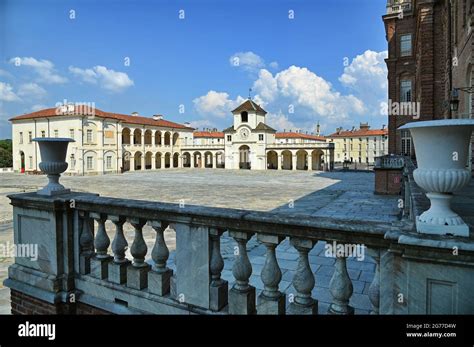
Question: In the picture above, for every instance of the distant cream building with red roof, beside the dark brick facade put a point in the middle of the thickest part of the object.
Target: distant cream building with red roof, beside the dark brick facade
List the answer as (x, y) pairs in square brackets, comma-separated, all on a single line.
[(361, 145)]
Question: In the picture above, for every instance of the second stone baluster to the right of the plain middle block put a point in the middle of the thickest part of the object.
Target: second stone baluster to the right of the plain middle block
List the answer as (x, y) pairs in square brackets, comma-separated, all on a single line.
[(242, 295)]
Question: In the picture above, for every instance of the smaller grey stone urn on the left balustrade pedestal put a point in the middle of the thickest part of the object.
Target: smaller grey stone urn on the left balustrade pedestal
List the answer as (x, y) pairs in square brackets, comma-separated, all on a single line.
[(53, 163)]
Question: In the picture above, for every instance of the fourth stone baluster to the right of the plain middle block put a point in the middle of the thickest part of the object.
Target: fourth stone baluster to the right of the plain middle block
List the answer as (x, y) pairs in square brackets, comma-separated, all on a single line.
[(303, 280)]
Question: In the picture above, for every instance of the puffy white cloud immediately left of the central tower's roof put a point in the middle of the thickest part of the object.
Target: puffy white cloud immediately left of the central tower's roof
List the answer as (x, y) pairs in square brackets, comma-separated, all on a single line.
[(216, 104)]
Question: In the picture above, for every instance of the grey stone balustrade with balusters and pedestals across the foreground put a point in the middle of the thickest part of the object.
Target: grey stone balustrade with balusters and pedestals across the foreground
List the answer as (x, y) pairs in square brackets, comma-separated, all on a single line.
[(77, 257)]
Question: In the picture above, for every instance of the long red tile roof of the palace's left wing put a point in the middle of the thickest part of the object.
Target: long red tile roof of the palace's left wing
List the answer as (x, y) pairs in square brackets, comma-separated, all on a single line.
[(52, 112)]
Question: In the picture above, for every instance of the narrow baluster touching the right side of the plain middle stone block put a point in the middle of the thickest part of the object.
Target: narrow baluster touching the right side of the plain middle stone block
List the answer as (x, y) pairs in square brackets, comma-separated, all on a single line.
[(218, 288)]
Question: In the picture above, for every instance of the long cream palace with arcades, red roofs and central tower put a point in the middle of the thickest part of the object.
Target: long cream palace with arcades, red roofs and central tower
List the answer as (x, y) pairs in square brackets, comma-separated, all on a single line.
[(112, 143)]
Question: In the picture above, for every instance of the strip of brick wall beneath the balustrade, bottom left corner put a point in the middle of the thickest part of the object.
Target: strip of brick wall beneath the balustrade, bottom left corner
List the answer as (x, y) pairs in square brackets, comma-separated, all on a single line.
[(22, 304)]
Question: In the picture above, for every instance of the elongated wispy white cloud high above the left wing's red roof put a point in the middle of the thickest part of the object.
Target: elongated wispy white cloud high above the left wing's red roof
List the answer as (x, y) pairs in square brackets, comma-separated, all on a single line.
[(108, 79)]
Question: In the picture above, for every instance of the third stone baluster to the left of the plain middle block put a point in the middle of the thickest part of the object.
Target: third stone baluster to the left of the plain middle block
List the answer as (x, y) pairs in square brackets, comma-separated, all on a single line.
[(118, 267)]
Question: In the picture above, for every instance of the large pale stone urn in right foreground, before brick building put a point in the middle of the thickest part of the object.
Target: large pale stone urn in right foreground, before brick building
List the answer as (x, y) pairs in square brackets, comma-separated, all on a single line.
[(442, 152)]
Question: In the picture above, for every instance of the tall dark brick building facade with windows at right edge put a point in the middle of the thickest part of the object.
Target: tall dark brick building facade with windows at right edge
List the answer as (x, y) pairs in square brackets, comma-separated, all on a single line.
[(430, 64)]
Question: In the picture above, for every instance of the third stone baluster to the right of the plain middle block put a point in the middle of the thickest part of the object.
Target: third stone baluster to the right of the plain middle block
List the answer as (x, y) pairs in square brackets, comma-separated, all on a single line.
[(271, 300)]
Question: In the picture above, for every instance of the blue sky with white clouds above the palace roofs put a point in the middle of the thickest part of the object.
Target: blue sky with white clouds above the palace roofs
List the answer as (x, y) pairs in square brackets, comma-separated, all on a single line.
[(194, 61)]
